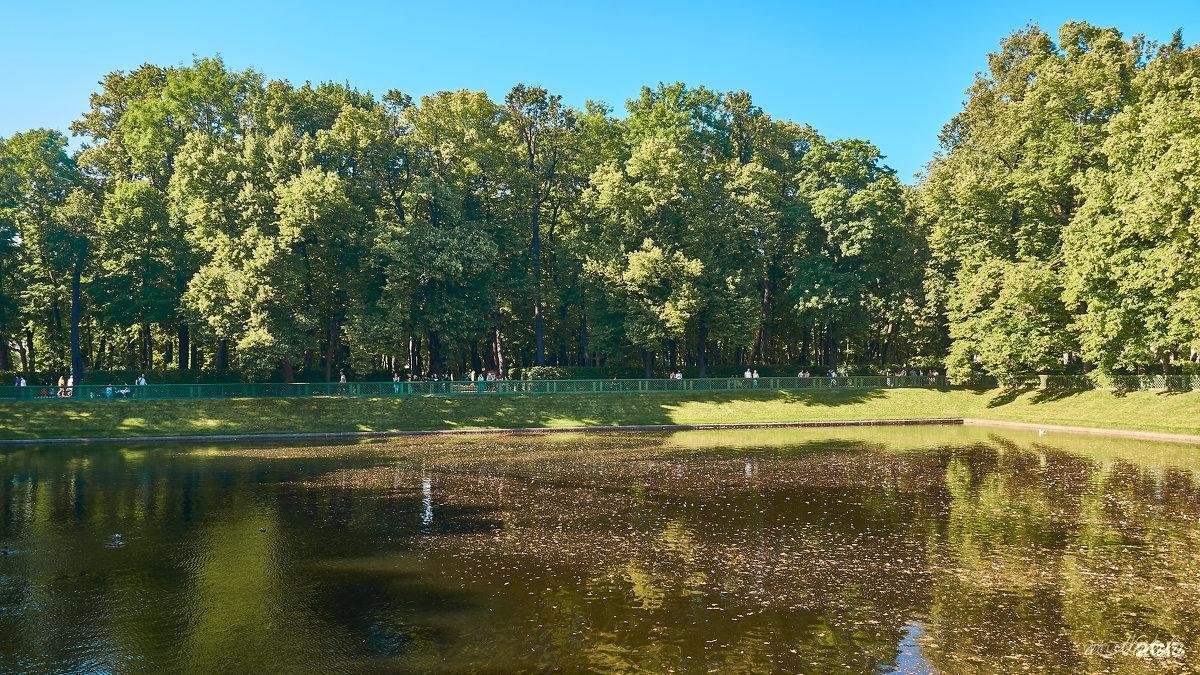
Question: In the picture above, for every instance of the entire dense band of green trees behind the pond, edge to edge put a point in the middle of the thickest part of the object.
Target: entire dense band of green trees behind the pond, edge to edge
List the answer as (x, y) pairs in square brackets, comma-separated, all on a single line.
[(215, 220)]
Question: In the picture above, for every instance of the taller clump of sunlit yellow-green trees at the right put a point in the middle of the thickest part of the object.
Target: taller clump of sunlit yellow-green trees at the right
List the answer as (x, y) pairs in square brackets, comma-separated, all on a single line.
[(1063, 211)]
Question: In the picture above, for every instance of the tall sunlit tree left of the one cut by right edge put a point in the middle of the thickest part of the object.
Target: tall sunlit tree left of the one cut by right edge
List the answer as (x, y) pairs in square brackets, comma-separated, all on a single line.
[(1007, 183)]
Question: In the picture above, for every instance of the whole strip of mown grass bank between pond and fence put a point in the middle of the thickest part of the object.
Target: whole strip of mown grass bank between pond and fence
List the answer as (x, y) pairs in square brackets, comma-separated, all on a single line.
[(1148, 411)]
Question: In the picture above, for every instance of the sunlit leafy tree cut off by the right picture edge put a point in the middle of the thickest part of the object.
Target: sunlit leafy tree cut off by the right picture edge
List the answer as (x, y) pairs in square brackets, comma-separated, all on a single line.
[(1130, 252)]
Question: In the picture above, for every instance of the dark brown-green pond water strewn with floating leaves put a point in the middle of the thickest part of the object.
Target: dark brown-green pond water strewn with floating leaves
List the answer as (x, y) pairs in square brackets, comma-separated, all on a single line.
[(862, 551)]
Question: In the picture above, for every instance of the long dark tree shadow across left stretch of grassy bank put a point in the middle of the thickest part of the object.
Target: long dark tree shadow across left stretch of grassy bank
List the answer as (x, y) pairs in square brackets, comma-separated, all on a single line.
[(417, 414)]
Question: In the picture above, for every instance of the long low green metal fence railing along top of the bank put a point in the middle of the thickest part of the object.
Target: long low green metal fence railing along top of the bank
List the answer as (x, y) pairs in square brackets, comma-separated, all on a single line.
[(452, 389)]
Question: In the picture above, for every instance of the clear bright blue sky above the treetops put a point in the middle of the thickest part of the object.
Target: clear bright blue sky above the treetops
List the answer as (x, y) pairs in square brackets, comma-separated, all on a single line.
[(891, 73)]
